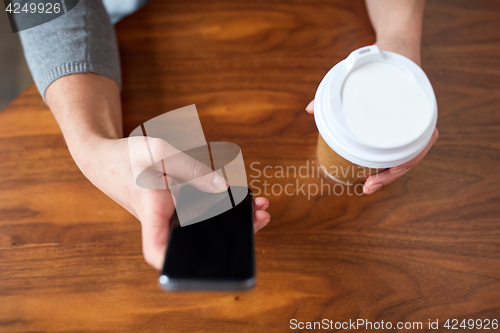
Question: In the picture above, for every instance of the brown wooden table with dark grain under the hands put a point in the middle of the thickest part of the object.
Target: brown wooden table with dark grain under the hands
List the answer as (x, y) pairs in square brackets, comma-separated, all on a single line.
[(425, 247)]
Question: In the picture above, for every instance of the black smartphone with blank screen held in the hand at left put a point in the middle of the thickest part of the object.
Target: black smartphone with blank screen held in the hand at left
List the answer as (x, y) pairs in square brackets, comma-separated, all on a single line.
[(214, 253)]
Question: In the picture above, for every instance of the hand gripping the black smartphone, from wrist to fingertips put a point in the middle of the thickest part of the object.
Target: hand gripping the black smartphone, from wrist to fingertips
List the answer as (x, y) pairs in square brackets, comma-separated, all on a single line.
[(109, 168)]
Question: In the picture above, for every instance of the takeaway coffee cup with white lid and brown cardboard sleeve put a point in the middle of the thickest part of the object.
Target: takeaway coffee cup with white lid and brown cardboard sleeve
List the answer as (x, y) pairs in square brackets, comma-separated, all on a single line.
[(374, 110)]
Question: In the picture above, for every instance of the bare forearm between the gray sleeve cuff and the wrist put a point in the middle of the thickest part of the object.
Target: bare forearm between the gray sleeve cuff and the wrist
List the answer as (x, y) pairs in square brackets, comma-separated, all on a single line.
[(87, 108)]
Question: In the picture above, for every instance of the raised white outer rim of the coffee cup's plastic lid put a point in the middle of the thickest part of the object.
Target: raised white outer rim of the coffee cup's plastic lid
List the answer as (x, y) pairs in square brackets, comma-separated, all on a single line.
[(341, 139)]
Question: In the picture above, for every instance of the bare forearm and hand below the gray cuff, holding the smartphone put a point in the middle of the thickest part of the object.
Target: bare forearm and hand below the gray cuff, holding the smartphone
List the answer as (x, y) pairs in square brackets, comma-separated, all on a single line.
[(87, 107)]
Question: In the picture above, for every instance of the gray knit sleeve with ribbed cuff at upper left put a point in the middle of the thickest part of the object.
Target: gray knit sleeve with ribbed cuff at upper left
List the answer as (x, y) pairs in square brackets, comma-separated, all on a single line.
[(80, 41)]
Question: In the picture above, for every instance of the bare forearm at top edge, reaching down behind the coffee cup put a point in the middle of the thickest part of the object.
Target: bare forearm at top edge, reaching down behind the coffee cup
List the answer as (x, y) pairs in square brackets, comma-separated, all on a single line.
[(398, 25)]
